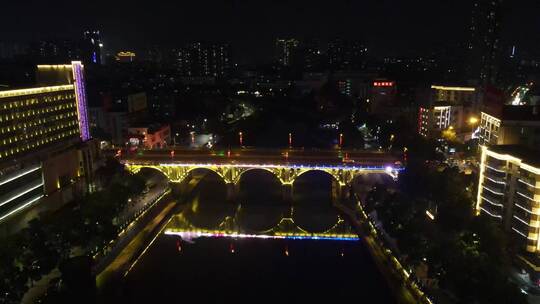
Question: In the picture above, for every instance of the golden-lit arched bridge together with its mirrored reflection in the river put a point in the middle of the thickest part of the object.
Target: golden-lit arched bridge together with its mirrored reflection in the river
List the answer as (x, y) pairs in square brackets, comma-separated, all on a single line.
[(286, 165)]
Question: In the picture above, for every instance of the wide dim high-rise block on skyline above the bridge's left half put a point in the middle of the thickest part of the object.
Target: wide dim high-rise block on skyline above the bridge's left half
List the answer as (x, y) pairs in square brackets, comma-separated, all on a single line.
[(204, 60)]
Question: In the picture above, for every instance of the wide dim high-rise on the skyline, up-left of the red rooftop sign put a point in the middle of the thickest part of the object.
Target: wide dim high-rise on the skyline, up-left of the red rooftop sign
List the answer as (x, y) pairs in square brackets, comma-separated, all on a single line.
[(347, 55)]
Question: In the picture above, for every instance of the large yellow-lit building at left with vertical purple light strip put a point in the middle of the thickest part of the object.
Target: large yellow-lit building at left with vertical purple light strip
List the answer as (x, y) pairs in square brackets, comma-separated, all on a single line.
[(37, 126)]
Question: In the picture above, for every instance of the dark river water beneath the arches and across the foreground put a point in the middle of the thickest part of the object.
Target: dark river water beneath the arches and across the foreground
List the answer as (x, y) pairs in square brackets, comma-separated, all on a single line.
[(224, 270)]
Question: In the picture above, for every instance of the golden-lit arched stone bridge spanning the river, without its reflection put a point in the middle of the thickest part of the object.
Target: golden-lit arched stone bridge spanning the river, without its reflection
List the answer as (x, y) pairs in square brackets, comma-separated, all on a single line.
[(286, 165)]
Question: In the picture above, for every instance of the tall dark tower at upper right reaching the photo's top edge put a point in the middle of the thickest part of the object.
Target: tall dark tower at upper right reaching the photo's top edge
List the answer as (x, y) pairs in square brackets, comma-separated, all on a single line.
[(484, 45)]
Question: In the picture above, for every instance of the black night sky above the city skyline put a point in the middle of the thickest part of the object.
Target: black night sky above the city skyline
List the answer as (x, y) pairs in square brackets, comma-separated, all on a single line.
[(389, 27)]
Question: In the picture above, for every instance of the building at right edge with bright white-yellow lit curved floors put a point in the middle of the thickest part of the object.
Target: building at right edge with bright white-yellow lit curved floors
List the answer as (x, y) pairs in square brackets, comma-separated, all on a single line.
[(509, 193)]
